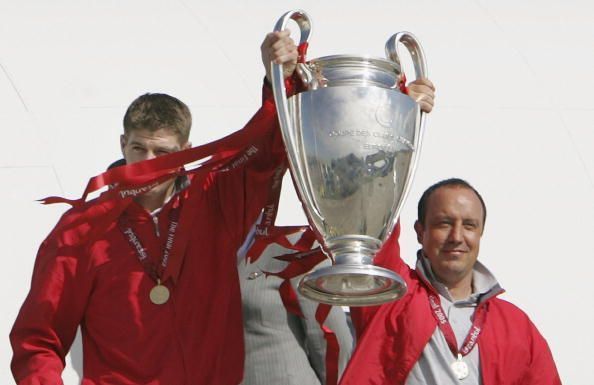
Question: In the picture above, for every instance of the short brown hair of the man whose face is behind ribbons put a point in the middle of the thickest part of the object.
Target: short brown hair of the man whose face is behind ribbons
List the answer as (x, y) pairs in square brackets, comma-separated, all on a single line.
[(157, 111)]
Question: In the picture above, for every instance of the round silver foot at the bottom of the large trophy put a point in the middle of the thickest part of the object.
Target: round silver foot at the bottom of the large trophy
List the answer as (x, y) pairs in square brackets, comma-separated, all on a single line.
[(352, 285)]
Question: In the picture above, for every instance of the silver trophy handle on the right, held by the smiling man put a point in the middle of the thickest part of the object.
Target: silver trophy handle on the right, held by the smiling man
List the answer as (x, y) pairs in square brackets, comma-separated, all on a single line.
[(418, 58)]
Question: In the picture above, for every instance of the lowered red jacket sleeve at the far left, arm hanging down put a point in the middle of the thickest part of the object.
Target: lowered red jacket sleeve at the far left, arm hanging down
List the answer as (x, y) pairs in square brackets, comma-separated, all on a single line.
[(48, 319)]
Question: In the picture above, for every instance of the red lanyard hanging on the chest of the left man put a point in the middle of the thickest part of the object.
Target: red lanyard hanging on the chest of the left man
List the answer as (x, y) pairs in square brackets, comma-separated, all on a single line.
[(154, 271)]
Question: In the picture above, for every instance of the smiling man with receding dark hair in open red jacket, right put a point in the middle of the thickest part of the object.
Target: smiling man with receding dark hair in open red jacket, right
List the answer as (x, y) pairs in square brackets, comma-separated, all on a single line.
[(450, 327)]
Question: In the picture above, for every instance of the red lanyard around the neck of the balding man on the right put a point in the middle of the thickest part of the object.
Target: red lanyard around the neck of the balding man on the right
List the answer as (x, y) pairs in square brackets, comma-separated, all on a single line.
[(445, 327)]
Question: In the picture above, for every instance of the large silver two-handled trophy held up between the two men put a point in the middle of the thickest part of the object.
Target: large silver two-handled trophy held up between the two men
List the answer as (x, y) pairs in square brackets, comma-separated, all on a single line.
[(352, 140)]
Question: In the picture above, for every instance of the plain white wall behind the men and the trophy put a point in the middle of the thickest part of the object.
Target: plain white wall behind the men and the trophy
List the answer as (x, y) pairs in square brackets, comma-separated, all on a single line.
[(514, 116)]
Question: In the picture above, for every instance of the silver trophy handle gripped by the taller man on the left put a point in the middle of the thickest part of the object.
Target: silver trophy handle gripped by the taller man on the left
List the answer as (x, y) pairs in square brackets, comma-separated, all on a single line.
[(280, 99)]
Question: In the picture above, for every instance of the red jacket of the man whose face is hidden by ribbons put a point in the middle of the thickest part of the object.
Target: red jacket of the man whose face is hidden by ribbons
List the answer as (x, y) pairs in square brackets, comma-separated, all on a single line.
[(196, 337)]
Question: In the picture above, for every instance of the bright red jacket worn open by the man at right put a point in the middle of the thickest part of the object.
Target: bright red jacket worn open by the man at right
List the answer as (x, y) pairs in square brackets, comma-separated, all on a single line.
[(512, 351)]
